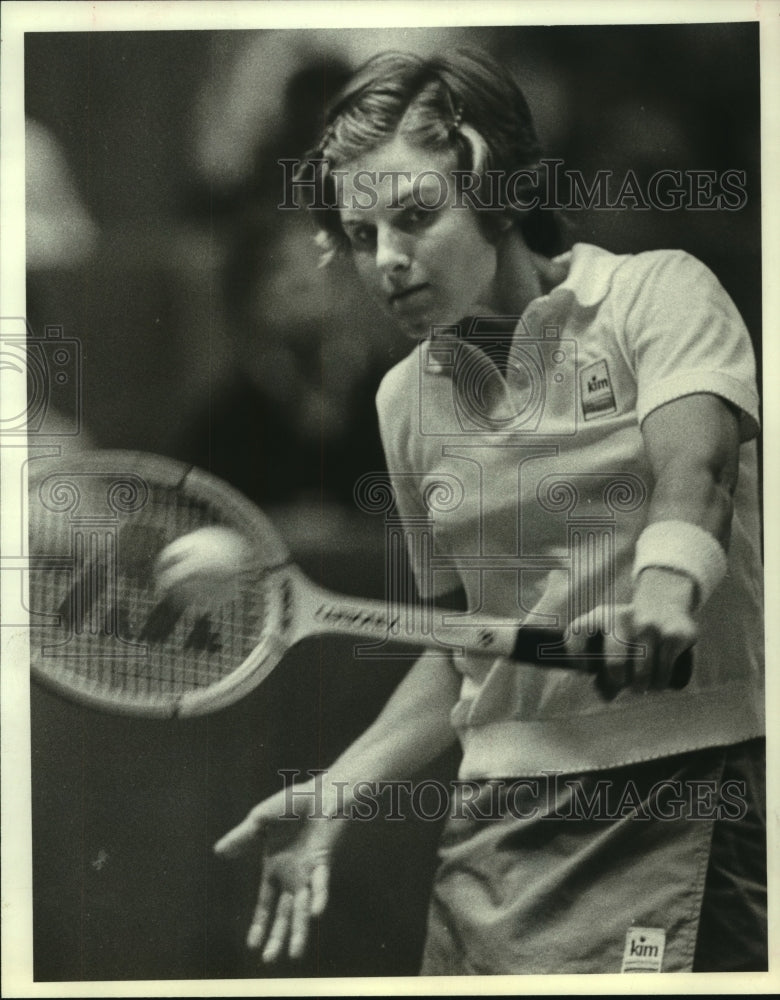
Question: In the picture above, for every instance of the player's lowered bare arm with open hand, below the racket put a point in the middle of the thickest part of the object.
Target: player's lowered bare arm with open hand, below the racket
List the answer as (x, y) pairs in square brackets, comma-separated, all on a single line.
[(412, 729)]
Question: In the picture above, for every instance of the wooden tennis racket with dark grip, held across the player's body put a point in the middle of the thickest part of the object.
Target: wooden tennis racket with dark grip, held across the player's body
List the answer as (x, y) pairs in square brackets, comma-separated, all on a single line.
[(101, 632)]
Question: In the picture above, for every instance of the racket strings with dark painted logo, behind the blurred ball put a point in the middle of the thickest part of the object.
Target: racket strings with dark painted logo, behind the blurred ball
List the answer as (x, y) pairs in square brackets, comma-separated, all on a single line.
[(97, 619)]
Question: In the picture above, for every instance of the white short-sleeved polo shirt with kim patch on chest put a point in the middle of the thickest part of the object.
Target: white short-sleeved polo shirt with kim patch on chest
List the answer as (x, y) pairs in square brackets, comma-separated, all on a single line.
[(531, 486)]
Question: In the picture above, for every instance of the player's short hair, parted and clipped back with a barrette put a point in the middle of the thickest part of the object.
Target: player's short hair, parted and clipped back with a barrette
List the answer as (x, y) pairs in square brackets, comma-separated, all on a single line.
[(462, 103)]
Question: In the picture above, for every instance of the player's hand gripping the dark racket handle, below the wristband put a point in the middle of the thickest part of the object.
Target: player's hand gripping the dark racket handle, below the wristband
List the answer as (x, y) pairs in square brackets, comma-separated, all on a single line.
[(647, 644)]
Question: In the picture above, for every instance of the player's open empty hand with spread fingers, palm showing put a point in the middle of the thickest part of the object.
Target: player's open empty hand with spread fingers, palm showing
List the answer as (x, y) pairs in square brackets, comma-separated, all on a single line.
[(296, 870)]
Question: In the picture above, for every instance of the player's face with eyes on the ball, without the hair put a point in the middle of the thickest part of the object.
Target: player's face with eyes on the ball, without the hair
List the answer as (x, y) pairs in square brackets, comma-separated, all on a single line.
[(425, 265)]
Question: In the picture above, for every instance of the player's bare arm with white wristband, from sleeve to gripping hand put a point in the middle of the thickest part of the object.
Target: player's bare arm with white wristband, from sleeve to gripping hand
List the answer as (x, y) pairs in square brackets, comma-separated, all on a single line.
[(692, 444)]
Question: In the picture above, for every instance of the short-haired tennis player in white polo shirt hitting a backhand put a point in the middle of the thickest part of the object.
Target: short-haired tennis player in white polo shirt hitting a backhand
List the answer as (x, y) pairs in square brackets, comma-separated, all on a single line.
[(592, 419)]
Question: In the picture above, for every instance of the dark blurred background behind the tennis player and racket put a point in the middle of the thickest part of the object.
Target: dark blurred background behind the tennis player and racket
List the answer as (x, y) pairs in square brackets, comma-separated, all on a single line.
[(208, 334)]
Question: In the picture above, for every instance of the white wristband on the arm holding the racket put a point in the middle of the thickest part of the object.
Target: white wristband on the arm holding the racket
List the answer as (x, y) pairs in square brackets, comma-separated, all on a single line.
[(685, 548)]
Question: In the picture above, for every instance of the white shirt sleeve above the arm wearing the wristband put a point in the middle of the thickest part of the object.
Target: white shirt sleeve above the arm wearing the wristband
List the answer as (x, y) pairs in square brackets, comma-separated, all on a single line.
[(684, 335)]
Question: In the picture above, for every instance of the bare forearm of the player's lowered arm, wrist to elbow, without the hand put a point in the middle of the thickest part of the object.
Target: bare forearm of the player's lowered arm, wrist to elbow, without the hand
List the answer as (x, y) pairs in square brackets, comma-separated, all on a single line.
[(412, 730)]
